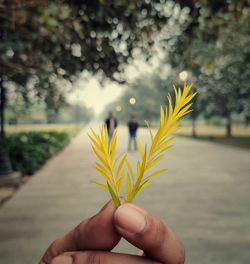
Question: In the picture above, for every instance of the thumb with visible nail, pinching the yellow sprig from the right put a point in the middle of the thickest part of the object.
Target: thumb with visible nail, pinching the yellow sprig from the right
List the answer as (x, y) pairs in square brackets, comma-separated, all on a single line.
[(148, 233)]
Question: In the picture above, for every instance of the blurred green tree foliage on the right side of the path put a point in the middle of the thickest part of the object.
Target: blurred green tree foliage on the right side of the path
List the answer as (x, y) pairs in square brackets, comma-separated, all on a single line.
[(215, 51)]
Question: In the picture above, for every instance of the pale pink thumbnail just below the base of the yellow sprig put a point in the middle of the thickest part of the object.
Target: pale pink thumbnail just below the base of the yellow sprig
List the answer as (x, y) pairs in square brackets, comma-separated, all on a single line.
[(129, 219)]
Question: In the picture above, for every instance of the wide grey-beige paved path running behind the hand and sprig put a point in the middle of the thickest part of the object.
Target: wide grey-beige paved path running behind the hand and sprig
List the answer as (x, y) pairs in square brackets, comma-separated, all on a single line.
[(205, 197)]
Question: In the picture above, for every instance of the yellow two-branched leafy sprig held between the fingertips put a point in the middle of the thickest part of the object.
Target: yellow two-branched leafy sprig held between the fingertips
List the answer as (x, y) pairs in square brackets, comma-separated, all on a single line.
[(115, 171)]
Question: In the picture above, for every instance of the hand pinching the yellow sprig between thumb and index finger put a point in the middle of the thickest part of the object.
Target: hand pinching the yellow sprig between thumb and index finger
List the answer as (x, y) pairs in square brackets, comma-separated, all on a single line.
[(93, 239)]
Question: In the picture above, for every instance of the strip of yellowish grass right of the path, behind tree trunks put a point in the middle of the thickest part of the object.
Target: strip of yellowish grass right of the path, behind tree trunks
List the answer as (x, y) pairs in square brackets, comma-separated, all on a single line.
[(240, 134)]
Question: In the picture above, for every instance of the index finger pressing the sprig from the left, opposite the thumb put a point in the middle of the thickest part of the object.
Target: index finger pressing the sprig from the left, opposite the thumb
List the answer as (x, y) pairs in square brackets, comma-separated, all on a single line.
[(96, 233)]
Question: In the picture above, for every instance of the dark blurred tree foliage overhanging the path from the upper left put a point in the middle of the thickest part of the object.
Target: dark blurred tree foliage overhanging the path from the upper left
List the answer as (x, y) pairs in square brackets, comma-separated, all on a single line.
[(62, 38)]
